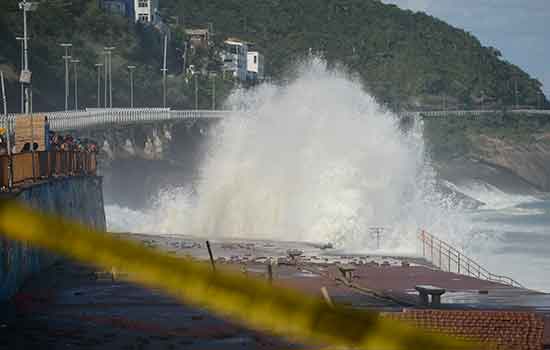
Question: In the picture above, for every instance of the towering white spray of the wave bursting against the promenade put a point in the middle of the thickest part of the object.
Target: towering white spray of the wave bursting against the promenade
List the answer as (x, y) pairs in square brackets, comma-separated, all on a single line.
[(318, 160)]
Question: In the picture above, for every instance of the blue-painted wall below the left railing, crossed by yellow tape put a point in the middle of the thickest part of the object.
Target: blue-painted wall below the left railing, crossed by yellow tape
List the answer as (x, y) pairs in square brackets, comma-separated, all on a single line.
[(77, 198)]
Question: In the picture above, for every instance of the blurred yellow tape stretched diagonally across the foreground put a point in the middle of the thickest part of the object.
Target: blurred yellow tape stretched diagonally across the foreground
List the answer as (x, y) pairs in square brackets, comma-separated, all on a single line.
[(253, 303)]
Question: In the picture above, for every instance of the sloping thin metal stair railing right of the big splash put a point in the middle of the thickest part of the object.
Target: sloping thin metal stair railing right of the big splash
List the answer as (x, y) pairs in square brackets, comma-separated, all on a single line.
[(447, 258)]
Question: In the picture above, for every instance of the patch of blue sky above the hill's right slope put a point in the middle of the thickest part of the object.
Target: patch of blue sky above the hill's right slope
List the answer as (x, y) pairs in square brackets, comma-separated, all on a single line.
[(520, 29)]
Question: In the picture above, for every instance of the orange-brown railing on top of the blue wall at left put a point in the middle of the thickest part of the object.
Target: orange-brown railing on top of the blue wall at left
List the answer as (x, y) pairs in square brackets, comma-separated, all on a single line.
[(33, 166)]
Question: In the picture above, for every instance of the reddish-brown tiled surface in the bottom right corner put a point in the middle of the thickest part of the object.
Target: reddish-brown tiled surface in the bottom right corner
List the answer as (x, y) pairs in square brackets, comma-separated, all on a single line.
[(506, 329)]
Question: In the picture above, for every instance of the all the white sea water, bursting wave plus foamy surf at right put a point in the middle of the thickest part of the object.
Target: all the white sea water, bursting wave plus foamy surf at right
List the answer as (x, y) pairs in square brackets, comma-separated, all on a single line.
[(319, 160)]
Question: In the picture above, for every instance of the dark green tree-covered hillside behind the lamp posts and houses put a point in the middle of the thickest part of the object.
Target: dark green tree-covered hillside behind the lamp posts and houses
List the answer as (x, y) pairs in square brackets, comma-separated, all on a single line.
[(407, 60)]
